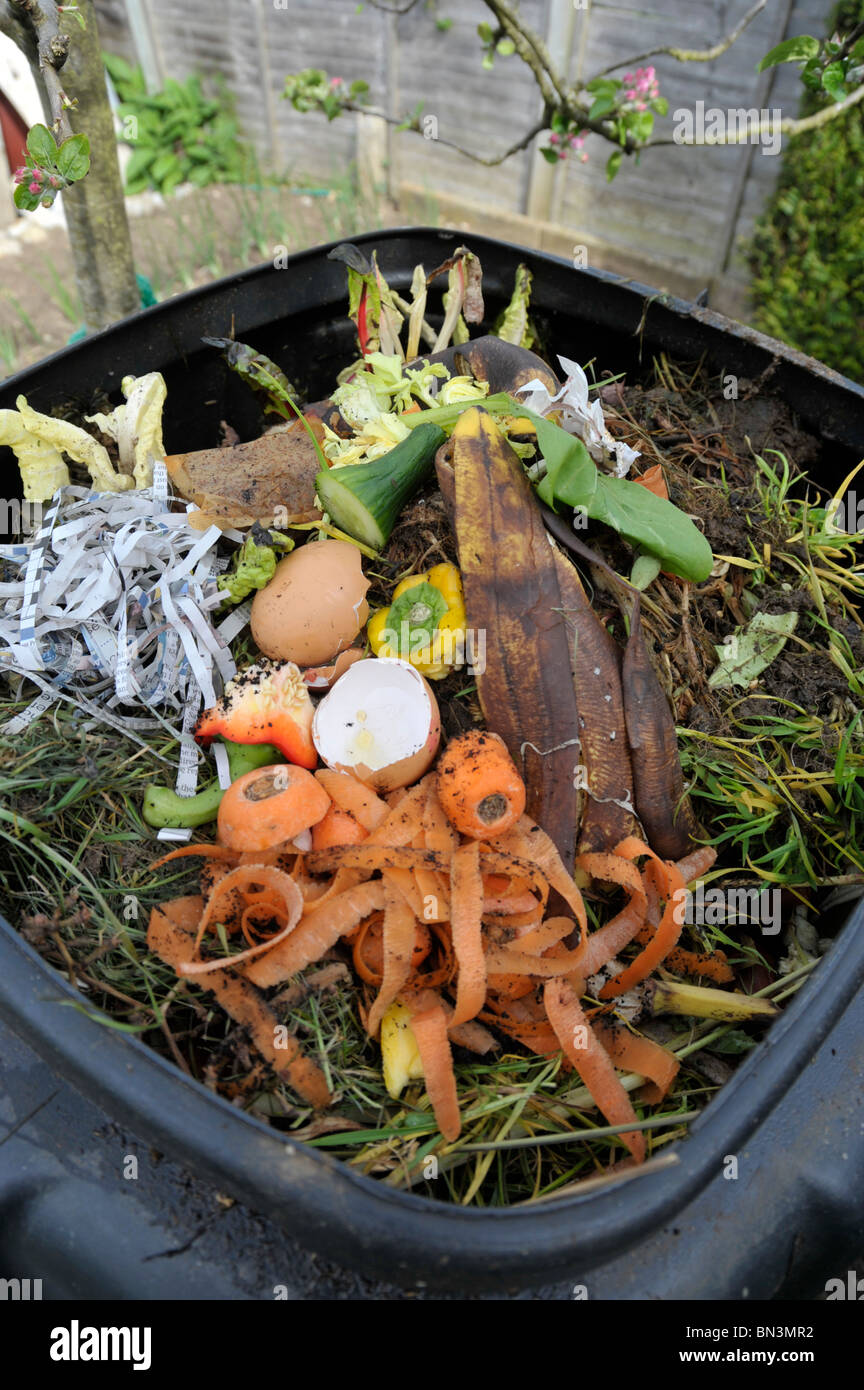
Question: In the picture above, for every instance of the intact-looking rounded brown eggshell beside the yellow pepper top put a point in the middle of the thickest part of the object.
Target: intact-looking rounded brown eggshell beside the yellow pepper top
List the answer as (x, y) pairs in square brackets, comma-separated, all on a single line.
[(315, 605)]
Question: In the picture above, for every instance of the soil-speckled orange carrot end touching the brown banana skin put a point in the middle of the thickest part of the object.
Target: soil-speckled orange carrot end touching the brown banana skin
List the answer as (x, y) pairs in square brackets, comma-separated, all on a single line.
[(479, 786)]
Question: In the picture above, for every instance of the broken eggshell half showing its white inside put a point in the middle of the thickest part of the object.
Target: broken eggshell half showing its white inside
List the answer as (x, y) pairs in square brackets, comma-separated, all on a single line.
[(381, 723)]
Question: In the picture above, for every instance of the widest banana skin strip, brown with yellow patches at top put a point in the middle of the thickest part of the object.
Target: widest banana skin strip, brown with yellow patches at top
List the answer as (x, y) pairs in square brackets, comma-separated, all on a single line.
[(512, 591)]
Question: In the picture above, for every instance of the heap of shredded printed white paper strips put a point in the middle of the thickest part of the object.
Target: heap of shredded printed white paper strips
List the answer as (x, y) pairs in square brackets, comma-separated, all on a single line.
[(113, 611)]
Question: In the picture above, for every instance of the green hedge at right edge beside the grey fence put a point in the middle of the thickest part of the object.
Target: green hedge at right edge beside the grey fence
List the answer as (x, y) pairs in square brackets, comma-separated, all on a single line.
[(808, 254)]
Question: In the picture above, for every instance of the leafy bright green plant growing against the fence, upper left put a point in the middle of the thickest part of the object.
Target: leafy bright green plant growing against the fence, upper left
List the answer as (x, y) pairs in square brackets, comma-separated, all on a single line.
[(178, 136)]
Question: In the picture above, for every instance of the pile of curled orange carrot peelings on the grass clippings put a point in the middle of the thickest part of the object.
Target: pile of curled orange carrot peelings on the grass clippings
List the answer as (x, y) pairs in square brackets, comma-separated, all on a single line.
[(455, 929)]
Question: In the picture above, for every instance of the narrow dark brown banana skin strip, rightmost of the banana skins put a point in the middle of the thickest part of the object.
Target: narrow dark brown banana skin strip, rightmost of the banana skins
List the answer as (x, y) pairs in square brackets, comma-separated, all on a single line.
[(665, 811)]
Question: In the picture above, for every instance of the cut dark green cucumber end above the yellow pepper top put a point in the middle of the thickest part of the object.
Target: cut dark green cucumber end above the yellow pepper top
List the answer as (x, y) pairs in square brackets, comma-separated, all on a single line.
[(366, 500)]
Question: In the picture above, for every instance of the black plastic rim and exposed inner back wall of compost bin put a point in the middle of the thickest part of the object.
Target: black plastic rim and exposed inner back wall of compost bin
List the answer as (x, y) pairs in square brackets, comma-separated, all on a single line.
[(298, 316)]
